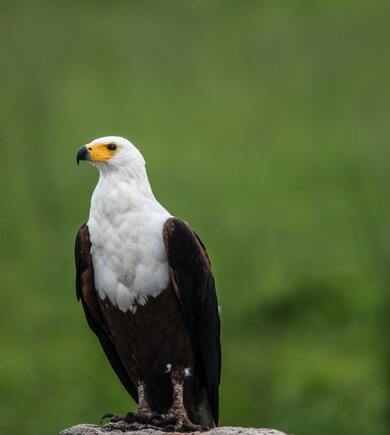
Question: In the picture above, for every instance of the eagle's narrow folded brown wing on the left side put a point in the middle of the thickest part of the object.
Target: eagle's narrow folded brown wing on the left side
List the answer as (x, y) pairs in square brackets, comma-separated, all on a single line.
[(86, 292)]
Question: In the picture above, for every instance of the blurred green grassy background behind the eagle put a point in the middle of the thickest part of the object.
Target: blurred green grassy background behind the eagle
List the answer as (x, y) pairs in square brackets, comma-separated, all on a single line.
[(265, 124)]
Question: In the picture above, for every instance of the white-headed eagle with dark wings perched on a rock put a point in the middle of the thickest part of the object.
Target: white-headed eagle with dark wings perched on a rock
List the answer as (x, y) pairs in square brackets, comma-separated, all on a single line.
[(145, 282)]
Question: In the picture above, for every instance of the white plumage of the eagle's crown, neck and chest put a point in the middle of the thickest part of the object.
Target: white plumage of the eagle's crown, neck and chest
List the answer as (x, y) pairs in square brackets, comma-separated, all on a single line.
[(126, 224)]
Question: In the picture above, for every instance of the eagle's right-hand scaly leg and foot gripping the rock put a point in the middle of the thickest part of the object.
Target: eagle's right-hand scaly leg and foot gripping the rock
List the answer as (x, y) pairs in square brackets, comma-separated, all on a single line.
[(176, 418)]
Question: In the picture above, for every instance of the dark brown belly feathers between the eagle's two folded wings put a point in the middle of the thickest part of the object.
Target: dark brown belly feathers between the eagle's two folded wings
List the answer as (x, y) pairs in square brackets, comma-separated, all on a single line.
[(147, 347)]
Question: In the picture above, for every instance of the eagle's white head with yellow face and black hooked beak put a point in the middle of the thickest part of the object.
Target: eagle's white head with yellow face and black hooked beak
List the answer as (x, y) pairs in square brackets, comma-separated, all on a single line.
[(111, 152)]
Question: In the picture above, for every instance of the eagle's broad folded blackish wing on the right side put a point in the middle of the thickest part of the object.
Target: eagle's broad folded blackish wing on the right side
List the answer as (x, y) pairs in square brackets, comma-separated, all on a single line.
[(194, 284)]
